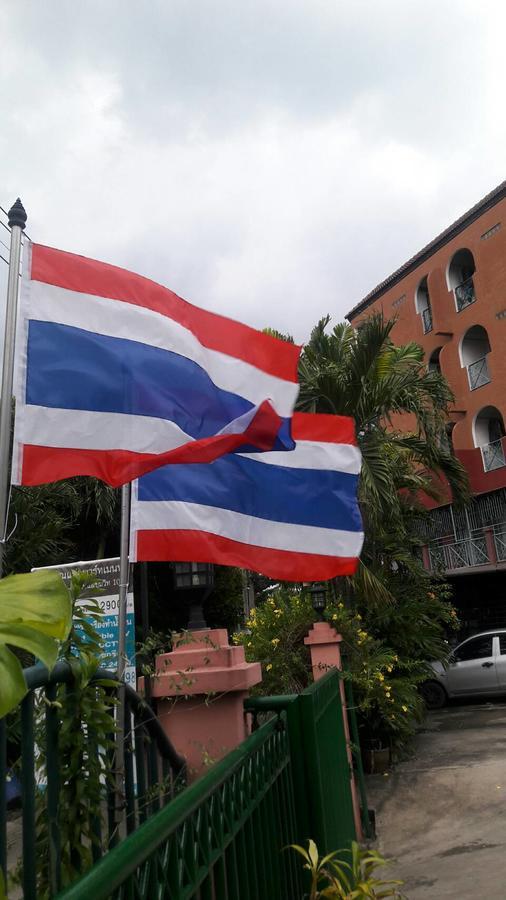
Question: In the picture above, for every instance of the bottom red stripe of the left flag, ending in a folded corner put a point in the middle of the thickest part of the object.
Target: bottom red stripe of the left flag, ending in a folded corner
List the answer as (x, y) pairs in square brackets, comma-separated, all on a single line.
[(116, 467)]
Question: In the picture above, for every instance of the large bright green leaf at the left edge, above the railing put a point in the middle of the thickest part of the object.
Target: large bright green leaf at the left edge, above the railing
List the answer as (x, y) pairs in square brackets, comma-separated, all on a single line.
[(35, 615)]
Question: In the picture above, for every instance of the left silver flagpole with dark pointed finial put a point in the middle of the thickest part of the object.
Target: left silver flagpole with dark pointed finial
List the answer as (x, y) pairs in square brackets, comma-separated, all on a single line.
[(17, 222)]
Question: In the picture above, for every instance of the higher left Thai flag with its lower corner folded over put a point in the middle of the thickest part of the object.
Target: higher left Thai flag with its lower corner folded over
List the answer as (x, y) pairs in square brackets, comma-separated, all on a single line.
[(117, 375)]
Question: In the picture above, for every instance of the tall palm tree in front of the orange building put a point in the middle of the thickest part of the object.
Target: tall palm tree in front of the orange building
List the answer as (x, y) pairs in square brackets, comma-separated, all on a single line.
[(362, 374)]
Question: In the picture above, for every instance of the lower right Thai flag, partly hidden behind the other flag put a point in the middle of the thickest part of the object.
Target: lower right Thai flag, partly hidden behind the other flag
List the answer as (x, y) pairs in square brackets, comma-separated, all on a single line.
[(292, 516)]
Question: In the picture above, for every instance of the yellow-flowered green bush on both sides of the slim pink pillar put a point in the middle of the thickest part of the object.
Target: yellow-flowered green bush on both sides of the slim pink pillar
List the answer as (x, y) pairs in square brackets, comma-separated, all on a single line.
[(385, 652)]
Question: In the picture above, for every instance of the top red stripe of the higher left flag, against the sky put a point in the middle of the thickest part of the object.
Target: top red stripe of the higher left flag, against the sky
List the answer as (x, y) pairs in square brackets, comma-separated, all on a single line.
[(88, 276)]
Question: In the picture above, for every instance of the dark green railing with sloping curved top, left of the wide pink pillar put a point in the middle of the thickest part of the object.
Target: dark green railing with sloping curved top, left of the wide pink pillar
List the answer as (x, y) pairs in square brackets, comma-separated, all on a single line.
[(154, 773)]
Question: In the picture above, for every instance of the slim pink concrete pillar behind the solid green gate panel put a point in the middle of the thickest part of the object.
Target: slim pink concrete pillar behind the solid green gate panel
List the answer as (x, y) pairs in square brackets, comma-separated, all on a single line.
[(323, 642)]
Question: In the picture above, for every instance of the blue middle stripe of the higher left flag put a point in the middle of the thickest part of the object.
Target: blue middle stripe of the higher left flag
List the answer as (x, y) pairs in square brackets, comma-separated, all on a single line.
[(70, 368)]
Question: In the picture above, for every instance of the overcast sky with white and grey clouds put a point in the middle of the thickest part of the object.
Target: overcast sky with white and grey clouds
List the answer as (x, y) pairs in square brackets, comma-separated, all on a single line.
[(272, 160)]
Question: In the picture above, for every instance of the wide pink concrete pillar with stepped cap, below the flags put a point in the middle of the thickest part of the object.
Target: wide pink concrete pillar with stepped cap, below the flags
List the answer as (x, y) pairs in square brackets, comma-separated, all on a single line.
[(201, 686)]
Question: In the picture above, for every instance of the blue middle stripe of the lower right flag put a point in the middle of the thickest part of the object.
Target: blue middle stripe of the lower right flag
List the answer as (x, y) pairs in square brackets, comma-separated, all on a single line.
[(327, 499)]
